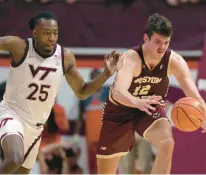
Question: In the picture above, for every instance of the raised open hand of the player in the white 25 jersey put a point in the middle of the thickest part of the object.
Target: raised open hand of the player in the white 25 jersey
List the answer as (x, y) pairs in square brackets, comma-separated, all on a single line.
[(110, 62)]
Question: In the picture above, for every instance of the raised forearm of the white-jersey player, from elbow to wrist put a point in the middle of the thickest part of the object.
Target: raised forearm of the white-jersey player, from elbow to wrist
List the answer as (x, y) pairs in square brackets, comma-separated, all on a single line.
[(92, 86)]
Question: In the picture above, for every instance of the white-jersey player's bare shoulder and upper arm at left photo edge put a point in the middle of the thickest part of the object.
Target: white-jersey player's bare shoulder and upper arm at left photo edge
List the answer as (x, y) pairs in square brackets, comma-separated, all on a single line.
[(14, 45)]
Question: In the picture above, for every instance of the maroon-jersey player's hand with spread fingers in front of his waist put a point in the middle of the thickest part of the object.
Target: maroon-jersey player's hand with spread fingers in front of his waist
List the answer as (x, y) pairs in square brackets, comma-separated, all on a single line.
[(146, 104)]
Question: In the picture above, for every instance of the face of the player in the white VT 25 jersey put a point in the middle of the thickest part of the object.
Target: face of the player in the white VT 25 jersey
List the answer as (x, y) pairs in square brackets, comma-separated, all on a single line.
[(46, 35)]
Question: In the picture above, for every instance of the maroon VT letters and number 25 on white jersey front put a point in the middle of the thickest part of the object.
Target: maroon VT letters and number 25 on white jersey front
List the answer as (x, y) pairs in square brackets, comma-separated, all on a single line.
[(42, 90)]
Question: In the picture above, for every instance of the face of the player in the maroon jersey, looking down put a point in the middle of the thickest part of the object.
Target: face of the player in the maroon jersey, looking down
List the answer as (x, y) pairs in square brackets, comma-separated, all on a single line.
[(157, 44)]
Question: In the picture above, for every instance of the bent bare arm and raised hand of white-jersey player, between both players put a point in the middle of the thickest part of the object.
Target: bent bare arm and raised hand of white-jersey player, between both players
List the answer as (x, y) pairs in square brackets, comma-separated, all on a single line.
[(82, 89)]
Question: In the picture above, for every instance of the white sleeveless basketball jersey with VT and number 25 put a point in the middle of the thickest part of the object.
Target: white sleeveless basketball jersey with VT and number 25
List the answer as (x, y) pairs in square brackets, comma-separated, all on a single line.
[(33, 84)]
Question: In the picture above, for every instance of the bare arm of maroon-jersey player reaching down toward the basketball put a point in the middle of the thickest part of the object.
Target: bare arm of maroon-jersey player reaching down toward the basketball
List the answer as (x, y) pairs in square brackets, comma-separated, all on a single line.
[(180, 70)]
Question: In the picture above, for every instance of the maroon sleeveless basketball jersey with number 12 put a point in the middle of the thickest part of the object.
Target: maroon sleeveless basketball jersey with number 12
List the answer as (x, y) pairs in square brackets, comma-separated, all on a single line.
[(151, 81)]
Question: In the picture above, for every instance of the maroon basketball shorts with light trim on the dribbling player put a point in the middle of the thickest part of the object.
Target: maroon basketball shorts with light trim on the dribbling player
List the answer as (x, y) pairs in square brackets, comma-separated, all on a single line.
[(119, 124)]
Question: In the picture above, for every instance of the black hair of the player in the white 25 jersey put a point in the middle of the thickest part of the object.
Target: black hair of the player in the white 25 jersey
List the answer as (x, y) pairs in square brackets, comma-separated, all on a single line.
[(41, 15)]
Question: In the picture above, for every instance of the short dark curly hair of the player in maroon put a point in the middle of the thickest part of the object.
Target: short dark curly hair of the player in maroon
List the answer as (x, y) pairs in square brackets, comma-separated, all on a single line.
[(159, 24)]
